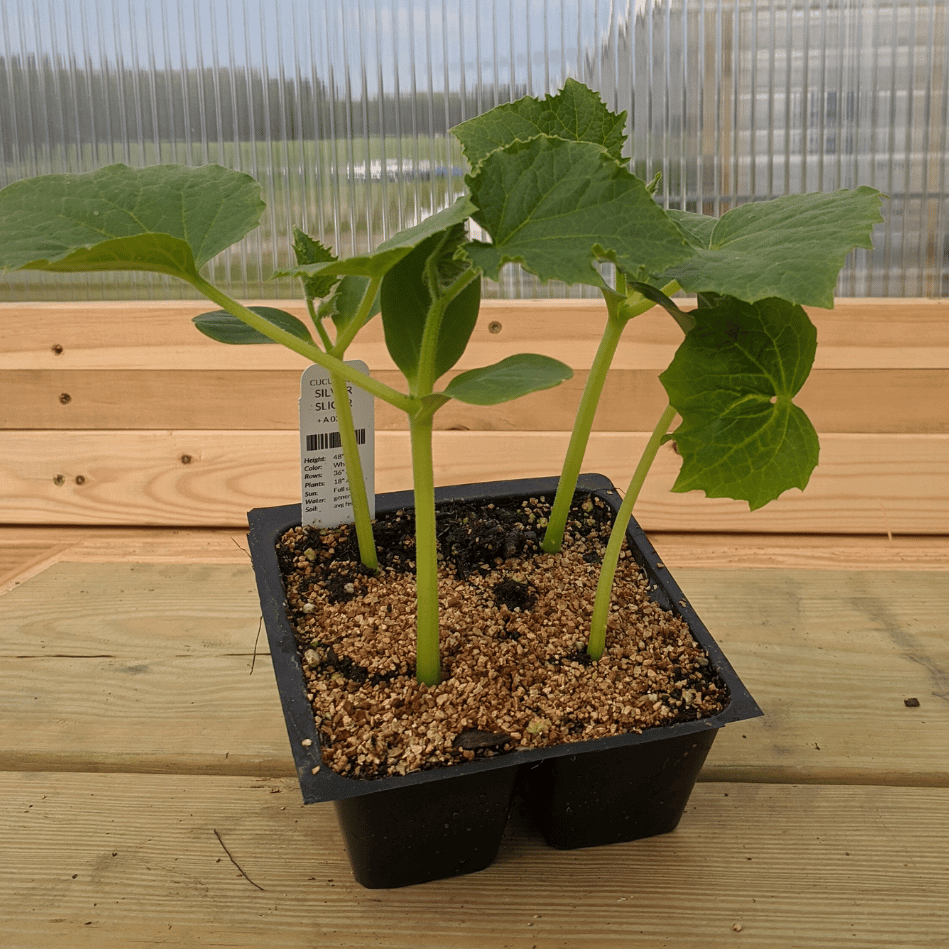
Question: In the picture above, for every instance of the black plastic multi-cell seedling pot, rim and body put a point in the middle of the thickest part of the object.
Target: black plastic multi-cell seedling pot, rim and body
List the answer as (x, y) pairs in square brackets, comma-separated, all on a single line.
[(434, 824)]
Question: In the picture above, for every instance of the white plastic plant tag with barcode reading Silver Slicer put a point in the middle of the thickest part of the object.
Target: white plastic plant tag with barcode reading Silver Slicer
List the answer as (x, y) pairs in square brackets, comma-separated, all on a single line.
[(326, 500)]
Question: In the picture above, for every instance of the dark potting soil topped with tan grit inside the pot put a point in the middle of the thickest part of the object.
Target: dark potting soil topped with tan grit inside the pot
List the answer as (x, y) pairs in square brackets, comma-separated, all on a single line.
[(514, 624)]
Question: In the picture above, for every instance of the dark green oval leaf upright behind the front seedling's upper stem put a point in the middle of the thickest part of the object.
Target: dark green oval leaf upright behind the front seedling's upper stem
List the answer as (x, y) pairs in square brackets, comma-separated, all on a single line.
[(407, 296)]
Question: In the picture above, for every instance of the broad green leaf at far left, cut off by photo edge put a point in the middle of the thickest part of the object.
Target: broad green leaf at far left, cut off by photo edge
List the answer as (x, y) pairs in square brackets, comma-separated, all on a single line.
[(165, 218)]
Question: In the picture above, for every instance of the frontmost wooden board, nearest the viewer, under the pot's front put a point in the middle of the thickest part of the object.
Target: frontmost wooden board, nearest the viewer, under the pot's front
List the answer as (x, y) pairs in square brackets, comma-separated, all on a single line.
[(129, 860)]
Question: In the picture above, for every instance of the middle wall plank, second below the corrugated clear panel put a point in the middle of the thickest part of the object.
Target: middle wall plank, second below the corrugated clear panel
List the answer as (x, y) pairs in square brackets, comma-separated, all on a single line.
[(837, 400)]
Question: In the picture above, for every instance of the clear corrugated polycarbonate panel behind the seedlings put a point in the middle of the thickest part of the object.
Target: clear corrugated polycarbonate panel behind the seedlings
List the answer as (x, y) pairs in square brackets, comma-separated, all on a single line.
[(342, 109)]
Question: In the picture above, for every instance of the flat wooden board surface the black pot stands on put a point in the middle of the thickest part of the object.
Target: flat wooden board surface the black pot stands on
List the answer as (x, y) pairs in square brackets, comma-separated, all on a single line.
[(148, 799)]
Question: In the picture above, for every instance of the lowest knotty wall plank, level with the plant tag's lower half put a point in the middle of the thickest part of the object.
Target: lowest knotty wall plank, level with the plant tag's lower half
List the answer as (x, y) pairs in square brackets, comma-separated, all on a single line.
[(872, 484)]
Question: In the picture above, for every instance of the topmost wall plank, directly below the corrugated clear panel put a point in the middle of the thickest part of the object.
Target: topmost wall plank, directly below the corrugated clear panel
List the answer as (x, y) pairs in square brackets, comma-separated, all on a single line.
[(856, 334)]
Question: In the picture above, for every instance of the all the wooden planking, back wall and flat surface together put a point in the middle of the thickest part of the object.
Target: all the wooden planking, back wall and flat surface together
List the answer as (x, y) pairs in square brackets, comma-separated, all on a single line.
[(146, 790)]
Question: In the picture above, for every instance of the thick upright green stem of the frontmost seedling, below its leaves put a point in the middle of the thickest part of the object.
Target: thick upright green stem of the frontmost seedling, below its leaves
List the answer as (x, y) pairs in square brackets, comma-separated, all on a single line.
[(427, 665)]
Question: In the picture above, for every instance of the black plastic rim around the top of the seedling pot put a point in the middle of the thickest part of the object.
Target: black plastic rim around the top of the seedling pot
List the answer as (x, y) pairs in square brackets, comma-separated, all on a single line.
[(320, 783)]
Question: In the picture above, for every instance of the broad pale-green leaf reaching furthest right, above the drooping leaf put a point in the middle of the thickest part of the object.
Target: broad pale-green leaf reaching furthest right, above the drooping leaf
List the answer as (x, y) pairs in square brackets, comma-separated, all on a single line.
[(792, 247)]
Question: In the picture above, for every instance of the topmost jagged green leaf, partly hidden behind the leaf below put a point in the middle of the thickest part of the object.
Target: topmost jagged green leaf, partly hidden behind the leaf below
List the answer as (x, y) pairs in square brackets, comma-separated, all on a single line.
[(576, 114)]
